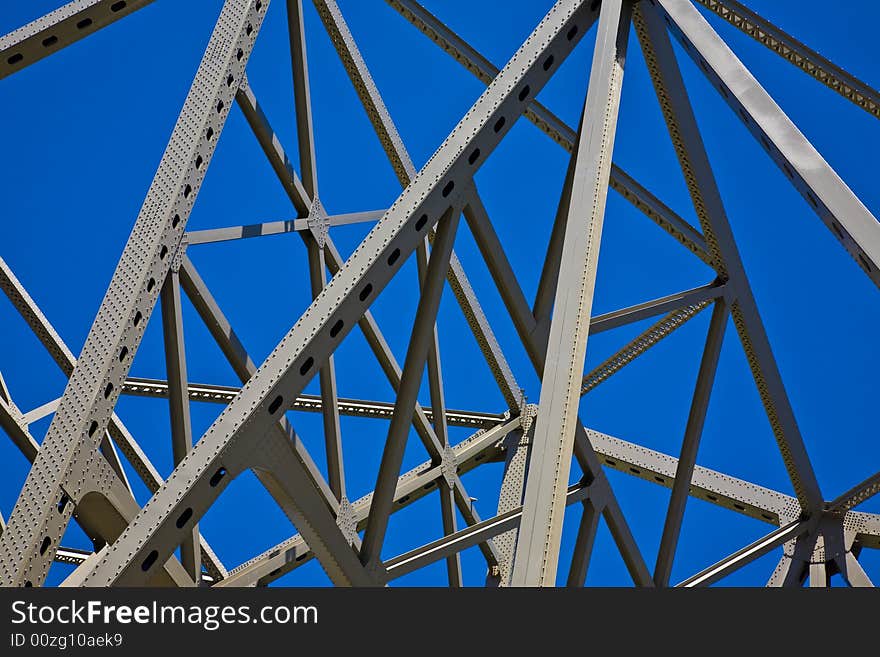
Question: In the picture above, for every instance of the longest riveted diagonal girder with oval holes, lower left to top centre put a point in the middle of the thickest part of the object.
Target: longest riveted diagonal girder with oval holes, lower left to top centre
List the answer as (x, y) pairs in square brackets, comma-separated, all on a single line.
[(241, 436)]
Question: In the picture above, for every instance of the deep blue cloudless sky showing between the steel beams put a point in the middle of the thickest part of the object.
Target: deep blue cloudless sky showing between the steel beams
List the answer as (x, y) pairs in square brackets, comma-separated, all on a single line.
[(84, 131)]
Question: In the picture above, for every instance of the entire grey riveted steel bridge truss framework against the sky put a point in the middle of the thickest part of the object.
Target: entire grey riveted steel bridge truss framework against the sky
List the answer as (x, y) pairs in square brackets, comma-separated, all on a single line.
[(76, 471)]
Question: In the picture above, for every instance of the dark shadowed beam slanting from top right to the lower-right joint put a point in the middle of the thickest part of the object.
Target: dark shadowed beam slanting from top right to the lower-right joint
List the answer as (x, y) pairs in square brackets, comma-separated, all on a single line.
[(694, 161)]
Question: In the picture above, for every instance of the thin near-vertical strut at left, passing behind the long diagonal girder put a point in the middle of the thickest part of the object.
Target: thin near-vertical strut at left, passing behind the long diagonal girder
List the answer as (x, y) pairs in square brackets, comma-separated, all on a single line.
[(178, 403)]
